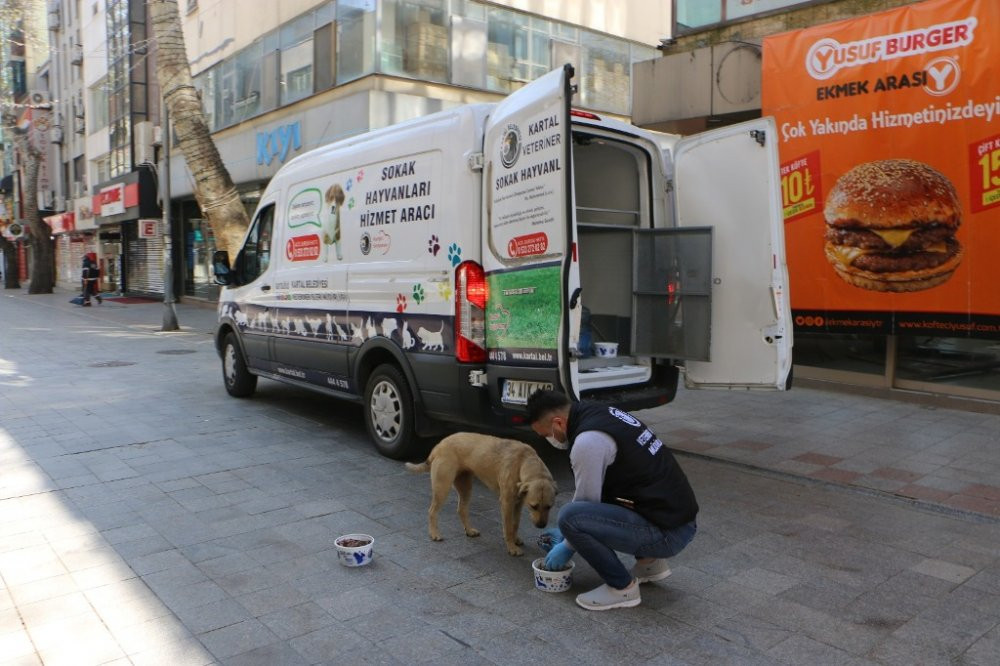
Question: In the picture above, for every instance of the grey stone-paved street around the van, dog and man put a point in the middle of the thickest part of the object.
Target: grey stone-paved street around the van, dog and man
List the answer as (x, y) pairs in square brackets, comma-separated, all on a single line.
[(148, 518)]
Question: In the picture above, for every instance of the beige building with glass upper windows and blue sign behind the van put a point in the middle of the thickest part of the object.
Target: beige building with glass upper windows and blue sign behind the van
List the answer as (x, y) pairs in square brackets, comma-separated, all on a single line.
[(297, 75)]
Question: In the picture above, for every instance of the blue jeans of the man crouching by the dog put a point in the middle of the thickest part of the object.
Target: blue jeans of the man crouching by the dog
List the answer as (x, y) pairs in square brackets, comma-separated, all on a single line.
[(596, 530)]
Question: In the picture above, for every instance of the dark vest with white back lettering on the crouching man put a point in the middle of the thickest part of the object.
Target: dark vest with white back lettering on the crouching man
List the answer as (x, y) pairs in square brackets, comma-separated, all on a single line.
[(644, 471)]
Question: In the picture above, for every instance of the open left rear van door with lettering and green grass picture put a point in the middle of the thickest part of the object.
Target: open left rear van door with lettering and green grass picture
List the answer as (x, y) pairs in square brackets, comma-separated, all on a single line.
[(529, 242)]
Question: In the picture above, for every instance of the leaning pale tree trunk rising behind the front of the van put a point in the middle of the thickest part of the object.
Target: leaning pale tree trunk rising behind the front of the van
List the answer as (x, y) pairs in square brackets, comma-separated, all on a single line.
[(213, 187)]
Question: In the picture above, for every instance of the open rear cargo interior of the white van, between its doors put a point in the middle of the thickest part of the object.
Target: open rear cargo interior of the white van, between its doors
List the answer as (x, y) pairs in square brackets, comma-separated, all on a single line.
[(612, 199)]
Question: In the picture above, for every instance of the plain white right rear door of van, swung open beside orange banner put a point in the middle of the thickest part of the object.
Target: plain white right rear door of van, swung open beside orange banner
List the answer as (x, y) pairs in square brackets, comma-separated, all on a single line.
[(727, 179)]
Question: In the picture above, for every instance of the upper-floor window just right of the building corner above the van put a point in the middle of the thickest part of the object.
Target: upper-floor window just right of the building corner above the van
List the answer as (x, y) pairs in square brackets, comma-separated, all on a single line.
[(414, 39)]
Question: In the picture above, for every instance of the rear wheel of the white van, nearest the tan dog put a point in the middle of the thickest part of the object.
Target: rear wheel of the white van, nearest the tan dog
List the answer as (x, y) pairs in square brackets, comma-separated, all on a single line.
[(389, 412)]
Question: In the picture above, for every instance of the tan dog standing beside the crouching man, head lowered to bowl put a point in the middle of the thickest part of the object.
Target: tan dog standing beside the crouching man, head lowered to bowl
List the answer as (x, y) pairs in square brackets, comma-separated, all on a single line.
[(509, 468)]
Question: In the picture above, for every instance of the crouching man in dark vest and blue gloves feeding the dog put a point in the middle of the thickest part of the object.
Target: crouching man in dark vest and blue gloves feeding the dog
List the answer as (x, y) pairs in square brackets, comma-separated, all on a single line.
[(631, 496)]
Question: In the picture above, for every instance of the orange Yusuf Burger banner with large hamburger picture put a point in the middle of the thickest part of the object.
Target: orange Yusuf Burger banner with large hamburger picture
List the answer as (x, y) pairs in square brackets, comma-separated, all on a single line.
[(890, 148)]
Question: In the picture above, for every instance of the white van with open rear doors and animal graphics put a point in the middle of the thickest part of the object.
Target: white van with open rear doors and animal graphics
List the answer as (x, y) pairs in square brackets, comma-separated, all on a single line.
[(442, 269)]
